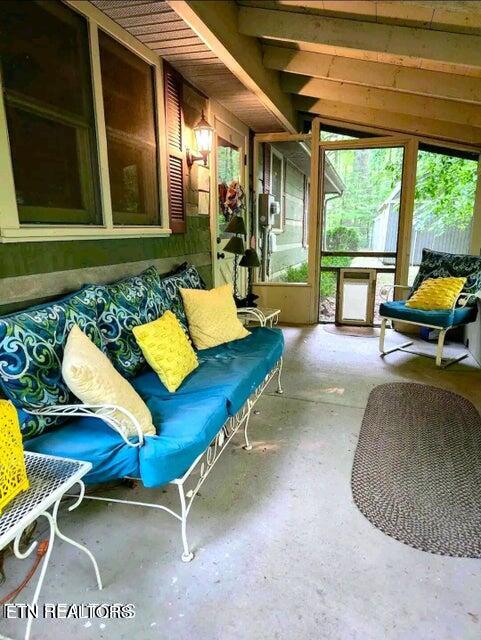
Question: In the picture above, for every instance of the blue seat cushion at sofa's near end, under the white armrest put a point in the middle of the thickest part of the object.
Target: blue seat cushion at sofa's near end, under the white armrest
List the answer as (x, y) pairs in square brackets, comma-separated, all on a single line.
[(91, 440)]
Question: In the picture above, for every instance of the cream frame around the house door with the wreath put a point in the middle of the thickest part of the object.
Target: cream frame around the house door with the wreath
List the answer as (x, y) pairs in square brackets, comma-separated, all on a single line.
[(222, 119)]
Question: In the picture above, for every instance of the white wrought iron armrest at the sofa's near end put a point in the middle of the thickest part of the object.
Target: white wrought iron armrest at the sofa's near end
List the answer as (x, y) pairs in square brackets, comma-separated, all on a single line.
[(105, 412)]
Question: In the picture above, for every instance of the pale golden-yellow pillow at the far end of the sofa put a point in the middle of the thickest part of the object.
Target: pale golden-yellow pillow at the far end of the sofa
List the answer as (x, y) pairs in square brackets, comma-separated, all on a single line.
[(212, 316)]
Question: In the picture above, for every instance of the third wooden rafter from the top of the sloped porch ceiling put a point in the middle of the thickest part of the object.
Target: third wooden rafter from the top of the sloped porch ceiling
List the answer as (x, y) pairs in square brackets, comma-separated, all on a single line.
[(382, 99)]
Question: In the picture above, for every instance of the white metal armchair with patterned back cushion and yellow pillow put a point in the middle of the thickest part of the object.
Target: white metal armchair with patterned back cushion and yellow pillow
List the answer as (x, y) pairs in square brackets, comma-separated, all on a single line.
[(442, 297)]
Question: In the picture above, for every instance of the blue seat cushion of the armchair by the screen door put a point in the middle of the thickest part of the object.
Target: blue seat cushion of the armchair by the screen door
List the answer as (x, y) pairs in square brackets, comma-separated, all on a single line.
[(438, 318)]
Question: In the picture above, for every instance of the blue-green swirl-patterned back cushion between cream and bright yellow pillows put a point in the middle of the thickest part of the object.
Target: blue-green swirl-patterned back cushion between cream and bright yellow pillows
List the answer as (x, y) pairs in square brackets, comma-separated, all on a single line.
[(124, 305)]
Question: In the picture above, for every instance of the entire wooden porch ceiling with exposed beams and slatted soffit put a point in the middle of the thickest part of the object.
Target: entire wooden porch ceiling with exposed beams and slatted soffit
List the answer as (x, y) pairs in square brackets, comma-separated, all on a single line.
[(411, 67)]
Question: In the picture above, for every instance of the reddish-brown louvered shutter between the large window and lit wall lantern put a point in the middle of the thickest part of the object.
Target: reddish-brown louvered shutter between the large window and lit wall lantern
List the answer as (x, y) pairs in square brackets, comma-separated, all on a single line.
[(175, 155)]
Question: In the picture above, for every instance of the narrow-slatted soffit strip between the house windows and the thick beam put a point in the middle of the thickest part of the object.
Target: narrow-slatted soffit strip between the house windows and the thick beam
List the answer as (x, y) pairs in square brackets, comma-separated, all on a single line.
[(160, 28)]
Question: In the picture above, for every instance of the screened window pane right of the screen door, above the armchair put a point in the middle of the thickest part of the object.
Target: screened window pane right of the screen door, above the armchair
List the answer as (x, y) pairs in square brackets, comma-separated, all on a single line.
[(443, 205)]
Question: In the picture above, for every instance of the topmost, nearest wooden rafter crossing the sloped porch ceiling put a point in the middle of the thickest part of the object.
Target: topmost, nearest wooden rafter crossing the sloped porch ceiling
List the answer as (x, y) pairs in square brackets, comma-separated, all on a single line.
[(371, 40)]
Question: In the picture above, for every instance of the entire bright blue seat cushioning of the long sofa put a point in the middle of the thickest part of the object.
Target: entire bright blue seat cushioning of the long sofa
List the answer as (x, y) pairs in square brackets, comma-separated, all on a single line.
[(186, 421)]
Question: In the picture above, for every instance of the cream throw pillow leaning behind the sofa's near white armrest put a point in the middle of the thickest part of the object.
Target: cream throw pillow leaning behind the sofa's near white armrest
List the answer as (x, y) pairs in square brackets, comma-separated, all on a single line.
[(90, 375)]
